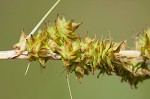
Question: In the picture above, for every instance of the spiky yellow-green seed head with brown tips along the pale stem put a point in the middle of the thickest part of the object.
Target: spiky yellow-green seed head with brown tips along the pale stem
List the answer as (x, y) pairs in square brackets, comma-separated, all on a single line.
[(84, 56)]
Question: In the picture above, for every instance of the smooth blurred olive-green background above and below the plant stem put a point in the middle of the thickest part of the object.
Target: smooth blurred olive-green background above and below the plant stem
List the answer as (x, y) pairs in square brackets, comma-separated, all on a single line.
[(123, 19)]
